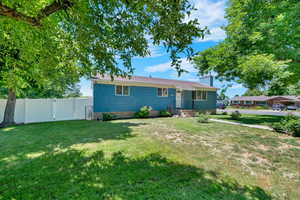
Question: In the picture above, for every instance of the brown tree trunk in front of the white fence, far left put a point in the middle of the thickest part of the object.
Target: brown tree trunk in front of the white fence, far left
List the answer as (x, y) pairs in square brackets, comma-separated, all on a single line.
[(9, 113)]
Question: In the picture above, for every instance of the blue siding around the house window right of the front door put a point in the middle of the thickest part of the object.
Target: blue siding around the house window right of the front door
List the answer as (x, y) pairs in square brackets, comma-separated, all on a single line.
[(209, 104)]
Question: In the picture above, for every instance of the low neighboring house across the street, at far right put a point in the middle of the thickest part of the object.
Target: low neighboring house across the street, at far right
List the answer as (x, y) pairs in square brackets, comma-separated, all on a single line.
[(265, 100)]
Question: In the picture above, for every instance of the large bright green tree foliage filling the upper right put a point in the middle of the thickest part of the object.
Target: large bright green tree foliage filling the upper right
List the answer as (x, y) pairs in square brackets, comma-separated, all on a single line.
[(262, 47)]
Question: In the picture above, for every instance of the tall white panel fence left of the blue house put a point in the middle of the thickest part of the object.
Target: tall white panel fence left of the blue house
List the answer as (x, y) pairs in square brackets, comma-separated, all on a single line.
[(44, 110)]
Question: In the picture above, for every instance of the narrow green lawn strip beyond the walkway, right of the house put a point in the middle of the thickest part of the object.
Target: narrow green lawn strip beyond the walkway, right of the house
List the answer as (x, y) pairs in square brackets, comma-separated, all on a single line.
[(266, 120)]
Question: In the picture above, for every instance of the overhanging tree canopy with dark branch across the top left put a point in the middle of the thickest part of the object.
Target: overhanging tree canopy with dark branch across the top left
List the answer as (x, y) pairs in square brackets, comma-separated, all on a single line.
[(103, 33)]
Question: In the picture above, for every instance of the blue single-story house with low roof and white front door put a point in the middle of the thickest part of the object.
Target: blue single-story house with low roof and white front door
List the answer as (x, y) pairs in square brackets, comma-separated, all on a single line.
[(125, 96)]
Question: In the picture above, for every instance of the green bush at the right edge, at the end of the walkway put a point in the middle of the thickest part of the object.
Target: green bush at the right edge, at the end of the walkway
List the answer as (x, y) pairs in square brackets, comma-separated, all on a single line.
[(289, 125)]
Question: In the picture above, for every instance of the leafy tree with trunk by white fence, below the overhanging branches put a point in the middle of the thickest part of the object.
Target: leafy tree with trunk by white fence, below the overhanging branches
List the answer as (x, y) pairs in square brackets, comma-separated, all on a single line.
[(20, 77)]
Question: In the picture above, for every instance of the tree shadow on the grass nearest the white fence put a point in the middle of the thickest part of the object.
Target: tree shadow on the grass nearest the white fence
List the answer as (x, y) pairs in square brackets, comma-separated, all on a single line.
[(19, 141)]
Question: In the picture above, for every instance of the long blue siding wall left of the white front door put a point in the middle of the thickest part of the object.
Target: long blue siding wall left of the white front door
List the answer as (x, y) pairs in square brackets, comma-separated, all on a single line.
[(106, 101)]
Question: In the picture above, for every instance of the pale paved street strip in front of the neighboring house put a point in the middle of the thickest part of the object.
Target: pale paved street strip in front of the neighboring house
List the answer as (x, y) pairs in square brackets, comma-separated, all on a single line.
[(263, 112)]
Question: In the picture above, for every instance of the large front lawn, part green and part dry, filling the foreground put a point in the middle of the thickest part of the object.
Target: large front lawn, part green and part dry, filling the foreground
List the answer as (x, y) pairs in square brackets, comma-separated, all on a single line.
[(147, 159)]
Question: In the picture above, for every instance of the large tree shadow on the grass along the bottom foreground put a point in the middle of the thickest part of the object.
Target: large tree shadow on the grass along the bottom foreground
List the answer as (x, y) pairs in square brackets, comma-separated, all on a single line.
[(74, 175)]
